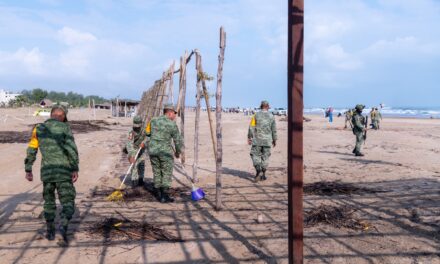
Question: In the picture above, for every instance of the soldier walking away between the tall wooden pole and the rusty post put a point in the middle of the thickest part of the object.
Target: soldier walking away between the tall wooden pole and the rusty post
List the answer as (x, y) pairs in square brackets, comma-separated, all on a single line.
[(262, 134)]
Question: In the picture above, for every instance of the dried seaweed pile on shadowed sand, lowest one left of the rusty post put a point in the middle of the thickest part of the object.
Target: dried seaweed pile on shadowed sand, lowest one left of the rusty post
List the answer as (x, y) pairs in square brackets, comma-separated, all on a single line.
[(125, 229)]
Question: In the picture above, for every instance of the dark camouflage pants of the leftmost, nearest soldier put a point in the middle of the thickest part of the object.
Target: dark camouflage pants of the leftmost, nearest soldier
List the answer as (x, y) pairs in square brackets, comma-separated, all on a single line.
[(66, 195)]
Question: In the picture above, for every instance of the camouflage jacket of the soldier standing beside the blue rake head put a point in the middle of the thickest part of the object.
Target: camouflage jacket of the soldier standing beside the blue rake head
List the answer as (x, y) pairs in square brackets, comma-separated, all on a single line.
[(161, 131)]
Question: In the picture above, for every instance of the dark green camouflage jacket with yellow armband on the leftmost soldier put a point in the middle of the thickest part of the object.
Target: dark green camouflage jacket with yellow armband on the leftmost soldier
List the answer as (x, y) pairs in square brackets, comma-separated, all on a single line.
[(58, 151)]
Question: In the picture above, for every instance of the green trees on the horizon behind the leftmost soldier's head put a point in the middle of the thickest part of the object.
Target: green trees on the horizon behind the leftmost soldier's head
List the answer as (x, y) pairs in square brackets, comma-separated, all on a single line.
[(74, 99)]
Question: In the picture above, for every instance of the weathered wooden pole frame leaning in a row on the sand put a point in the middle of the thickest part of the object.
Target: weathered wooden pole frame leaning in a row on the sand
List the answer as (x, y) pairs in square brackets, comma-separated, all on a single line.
[(154, 98)]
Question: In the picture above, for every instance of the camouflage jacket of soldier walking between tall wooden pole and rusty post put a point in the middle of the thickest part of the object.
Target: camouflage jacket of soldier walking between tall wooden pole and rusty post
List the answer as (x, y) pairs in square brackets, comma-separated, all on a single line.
[(262, 129)]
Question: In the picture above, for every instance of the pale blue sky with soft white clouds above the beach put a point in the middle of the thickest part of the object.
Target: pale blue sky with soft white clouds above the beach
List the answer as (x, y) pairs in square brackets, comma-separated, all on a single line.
[(356, 51)]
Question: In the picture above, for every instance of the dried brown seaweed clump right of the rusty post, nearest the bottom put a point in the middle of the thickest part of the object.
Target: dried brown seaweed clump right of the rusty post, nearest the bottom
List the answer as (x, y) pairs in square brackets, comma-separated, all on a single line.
[(335, 216)]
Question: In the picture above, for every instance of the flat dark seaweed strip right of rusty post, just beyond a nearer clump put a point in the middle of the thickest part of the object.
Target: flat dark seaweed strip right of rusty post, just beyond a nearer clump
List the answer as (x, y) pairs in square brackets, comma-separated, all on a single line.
[(334, 188)]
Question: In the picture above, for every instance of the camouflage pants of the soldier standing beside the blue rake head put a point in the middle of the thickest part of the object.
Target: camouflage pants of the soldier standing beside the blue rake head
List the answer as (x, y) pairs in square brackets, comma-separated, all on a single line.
[(162, 170)]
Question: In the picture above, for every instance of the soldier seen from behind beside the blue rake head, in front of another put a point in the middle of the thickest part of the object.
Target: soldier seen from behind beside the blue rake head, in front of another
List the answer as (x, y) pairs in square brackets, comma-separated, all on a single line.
[(162, 131)]
